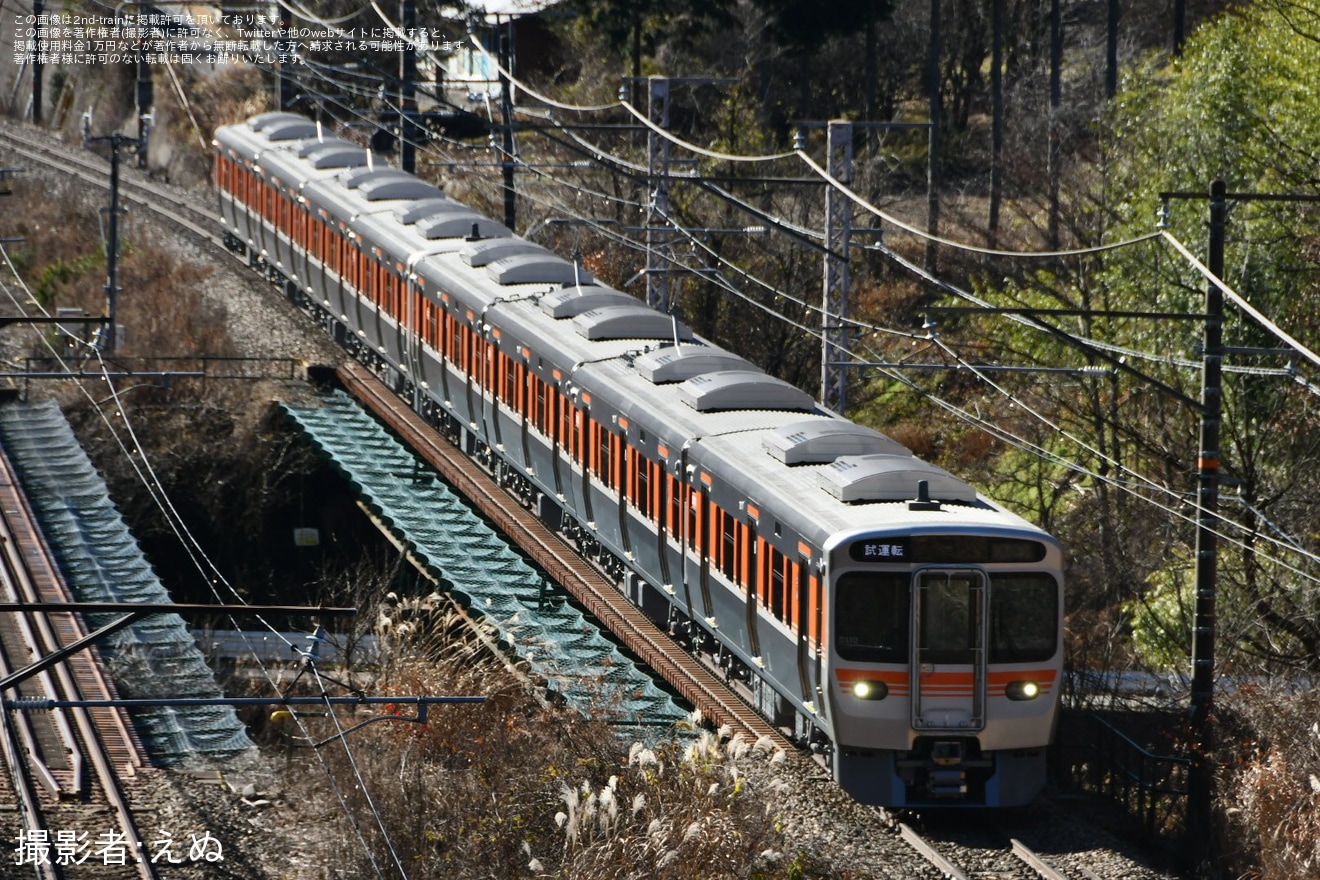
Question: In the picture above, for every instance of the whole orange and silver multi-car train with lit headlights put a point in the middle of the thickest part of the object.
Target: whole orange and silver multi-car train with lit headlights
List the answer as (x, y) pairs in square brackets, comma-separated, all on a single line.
[(872, 605)]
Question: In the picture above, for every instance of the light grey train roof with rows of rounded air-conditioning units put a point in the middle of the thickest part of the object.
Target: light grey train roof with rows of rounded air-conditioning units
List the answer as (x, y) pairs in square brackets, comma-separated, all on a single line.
[(754, 439)]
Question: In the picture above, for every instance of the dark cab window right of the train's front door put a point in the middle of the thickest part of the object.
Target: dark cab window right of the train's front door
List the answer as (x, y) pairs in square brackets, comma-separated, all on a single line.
[(1024, 618)]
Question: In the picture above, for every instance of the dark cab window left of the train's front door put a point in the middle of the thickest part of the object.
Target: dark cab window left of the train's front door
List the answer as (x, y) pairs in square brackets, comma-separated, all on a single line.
[(872, 617)]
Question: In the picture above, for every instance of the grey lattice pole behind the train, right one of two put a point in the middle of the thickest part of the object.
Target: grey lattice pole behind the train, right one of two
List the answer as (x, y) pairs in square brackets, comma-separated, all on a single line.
[(839, 220)]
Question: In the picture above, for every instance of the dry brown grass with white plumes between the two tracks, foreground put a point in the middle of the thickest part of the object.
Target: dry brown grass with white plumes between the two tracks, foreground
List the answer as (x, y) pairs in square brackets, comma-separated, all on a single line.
[(513, 788)]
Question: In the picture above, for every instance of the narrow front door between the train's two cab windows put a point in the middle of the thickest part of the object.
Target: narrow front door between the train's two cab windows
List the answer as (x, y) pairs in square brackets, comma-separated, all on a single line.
[(950, 651)]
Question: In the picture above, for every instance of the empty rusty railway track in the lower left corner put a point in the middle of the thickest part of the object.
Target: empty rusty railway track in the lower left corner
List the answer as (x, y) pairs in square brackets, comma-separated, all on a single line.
[(63, 766)]
